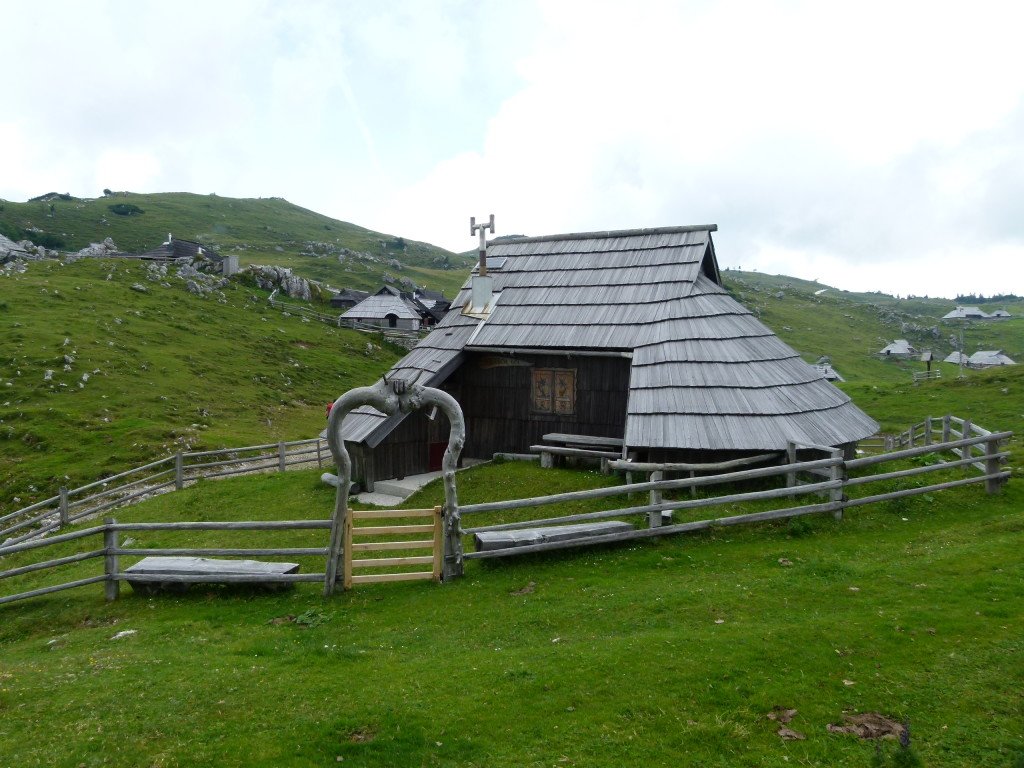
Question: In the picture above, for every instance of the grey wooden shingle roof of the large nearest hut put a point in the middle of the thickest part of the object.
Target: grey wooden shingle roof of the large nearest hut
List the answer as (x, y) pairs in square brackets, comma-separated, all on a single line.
[(706, 374)]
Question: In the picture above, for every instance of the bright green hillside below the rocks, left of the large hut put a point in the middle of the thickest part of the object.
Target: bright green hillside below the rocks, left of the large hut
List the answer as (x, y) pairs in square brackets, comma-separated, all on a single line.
[(152, 373)]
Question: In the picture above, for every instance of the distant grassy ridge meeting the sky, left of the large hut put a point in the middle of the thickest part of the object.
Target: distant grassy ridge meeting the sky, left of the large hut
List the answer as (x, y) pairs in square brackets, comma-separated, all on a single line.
[(265, 231)]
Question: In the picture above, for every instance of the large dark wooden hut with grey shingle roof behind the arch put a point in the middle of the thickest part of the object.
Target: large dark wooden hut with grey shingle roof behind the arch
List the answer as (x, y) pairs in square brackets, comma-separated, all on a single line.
[(621, 334)]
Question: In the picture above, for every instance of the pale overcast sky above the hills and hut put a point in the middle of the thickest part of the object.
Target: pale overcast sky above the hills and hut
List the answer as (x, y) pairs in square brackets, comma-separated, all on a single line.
[(872, 146)]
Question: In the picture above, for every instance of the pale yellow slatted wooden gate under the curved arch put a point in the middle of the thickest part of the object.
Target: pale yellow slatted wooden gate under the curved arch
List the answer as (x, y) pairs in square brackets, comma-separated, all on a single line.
[(354, 531)]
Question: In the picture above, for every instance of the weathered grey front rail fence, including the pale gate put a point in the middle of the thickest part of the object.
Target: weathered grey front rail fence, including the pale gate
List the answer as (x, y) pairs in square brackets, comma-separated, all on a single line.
[(839, 483)]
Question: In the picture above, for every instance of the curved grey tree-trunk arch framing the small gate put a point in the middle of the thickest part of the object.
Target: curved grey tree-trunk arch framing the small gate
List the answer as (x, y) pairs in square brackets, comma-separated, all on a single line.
[(391, 398)]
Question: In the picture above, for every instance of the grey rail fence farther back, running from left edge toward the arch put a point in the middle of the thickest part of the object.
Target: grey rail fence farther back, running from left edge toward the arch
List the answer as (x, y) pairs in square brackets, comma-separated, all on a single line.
[(173, 473)]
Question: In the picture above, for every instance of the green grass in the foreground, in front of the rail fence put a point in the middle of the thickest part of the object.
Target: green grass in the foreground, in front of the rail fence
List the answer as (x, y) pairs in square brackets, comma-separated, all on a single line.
[(669, 653)]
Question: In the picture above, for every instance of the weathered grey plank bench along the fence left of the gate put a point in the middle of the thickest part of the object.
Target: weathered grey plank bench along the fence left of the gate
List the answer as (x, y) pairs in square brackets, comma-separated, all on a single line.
[(176, 574)]
